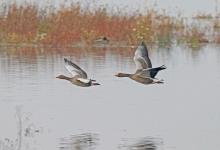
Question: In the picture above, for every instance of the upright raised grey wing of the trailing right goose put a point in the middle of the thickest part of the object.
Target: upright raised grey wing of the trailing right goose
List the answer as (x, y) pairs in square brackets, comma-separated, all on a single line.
[(141, 57)]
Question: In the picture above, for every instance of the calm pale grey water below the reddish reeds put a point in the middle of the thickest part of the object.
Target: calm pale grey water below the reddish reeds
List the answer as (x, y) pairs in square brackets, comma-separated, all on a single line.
[(182, 114)]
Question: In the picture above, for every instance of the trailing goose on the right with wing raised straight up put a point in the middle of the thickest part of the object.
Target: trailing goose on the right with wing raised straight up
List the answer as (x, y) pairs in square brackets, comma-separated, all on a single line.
[(144, 72)]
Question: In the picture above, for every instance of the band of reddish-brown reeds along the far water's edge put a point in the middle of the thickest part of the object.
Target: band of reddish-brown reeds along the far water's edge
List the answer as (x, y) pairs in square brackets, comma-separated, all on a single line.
[(74, 25)]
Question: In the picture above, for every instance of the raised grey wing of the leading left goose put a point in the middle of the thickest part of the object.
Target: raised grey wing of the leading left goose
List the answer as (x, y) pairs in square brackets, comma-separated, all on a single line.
[(74, 69)]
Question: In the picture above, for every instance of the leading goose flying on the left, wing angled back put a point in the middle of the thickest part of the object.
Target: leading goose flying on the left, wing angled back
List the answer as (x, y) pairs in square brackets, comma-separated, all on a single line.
[(79, 76)]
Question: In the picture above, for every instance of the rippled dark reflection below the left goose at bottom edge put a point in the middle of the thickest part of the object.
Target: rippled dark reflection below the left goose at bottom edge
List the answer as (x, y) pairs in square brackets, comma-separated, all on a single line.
[(86, 141)]
